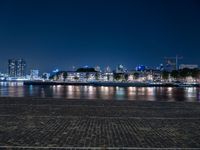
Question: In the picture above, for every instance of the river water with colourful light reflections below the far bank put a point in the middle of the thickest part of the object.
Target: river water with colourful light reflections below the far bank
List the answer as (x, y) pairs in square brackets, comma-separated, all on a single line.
[(17, 89)]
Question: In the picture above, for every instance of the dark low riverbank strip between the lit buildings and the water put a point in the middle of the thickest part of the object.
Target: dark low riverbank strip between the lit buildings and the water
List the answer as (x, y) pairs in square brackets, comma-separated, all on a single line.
[(119, 84)]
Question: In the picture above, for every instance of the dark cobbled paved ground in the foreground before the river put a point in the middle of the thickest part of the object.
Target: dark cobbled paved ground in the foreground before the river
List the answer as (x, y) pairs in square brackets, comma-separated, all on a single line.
[(61, 124)]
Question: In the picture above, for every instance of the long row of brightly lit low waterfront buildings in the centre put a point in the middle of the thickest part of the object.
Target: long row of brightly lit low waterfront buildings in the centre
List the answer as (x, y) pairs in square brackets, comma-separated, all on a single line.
[(107, 75)]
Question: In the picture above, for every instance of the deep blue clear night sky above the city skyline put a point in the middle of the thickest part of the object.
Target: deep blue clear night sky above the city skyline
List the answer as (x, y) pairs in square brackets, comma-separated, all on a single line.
[(64, 33)]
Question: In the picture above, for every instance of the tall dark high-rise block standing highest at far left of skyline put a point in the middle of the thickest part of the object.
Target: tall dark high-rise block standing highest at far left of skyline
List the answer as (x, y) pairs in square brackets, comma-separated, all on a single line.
[(16, 68)]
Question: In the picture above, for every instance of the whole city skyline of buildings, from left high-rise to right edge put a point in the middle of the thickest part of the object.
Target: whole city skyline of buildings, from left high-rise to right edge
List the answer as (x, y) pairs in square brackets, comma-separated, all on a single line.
[(17, 70)]
